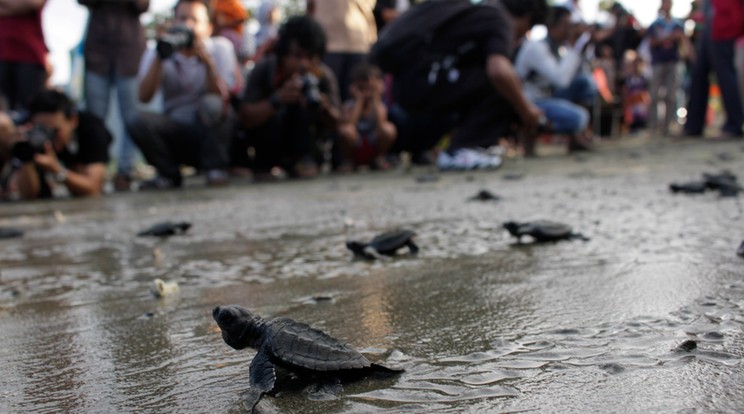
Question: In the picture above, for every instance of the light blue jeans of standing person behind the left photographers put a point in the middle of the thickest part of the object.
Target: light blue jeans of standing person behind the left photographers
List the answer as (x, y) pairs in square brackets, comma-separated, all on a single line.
[(97, 97)]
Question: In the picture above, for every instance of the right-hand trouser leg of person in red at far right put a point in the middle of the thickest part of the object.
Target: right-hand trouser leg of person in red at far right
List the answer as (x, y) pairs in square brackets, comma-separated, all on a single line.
[(723, 63)]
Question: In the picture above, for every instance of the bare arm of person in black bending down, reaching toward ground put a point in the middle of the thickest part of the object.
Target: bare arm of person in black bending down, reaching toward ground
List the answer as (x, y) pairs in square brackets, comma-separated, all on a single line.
[(504, 79)]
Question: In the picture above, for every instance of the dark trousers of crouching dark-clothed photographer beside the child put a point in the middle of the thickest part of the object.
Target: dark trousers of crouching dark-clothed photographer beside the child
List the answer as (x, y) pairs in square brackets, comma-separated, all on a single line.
[(289, 136)]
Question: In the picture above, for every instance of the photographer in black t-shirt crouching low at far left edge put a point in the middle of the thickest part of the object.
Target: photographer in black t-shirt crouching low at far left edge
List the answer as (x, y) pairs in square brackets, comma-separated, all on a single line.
[(59, 147)]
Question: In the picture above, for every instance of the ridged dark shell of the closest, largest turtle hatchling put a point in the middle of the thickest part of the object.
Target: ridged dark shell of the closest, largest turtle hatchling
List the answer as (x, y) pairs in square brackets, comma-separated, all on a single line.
[(296, 344)]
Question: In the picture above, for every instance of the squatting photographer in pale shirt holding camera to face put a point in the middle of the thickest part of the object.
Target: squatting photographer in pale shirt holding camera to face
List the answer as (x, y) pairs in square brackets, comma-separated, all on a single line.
[(194, 73)]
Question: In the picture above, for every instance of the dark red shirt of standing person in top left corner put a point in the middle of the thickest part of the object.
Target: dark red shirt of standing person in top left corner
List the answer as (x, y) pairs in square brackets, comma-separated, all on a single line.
[(22, 39)]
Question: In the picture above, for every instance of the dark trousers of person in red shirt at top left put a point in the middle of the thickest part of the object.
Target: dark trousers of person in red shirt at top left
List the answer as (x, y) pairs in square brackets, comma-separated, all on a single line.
[(19, 82)]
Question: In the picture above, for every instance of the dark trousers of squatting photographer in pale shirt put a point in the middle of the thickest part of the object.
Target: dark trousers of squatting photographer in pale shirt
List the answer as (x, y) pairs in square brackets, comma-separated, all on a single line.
[(167, 144)]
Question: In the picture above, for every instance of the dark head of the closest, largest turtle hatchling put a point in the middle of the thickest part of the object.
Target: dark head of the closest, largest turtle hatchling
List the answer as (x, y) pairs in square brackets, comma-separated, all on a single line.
[(240, 327)]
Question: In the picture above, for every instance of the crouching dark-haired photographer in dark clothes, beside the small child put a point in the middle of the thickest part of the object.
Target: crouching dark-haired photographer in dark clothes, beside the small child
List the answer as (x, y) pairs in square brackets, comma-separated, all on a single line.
[(291, 100)]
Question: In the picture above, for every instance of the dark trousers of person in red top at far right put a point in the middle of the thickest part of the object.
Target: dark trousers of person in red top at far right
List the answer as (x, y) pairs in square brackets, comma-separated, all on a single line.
[(719, 57)]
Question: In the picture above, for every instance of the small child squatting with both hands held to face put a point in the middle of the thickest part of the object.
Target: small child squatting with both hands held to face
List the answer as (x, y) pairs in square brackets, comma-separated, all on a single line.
[(366, 133)]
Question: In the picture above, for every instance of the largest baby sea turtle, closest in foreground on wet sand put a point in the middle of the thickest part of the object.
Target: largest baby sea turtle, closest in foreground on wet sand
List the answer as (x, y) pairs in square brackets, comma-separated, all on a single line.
[(291, 345)]
